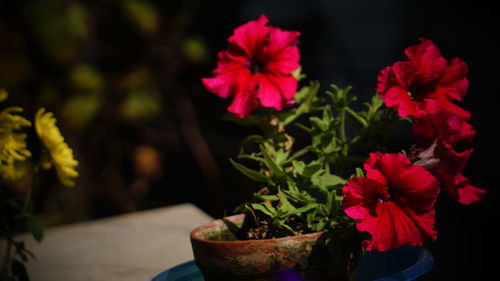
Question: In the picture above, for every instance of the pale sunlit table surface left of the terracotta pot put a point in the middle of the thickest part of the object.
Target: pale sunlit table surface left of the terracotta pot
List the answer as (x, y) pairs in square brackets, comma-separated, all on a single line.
[(130, 247)]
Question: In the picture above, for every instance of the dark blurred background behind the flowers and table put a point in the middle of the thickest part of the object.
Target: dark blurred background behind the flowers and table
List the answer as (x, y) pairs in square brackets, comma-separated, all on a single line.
[(123, 79)]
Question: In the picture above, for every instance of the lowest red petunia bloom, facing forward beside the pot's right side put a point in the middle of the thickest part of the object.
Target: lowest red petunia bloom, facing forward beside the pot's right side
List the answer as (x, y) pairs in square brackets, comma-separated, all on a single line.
[(394, 202)]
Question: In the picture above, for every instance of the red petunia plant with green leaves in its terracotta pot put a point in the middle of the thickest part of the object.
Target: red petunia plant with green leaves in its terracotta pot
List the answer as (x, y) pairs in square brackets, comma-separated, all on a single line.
[(322, 203)]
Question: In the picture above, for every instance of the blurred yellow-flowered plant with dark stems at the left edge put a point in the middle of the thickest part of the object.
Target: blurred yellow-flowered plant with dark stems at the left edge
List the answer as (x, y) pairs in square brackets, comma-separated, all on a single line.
[(21, 163)]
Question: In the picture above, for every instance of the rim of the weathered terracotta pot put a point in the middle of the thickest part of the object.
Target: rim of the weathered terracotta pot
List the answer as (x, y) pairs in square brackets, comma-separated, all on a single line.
[(198, 229)]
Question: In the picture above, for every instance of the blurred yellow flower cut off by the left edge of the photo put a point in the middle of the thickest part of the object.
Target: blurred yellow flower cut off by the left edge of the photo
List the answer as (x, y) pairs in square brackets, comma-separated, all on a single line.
[(12, 143)]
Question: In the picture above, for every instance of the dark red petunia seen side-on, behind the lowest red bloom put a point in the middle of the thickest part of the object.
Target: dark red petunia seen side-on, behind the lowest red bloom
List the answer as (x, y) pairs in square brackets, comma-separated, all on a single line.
[(446, 165)]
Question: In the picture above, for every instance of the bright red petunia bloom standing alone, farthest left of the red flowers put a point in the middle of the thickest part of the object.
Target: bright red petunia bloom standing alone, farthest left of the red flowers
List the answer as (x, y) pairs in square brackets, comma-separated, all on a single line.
[(256, 68)]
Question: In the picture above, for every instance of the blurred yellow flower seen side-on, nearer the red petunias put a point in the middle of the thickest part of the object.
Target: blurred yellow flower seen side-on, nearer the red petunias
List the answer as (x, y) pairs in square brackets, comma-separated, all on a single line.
[(58, 153)]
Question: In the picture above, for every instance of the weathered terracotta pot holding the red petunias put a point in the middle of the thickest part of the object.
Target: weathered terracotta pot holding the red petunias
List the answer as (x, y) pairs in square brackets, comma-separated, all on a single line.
[(257, 260)]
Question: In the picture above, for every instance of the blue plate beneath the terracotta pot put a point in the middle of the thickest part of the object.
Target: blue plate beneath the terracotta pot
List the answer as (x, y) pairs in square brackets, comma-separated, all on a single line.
[(403, 264)]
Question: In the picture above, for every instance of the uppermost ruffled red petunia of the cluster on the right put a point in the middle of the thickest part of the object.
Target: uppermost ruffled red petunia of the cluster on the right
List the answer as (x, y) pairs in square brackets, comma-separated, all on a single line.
[(424, 84)]
